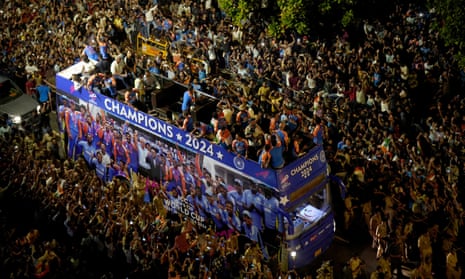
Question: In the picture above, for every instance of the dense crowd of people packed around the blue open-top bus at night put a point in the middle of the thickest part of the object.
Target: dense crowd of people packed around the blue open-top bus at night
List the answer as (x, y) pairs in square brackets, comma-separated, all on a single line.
[(389, 111)]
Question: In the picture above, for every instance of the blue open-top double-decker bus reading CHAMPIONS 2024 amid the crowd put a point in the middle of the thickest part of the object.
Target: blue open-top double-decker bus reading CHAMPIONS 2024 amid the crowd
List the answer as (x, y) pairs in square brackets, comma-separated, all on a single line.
[(288, 212)]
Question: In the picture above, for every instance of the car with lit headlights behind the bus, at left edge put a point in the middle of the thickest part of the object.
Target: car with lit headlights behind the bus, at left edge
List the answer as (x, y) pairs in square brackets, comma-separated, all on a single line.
[(19, 106)]
